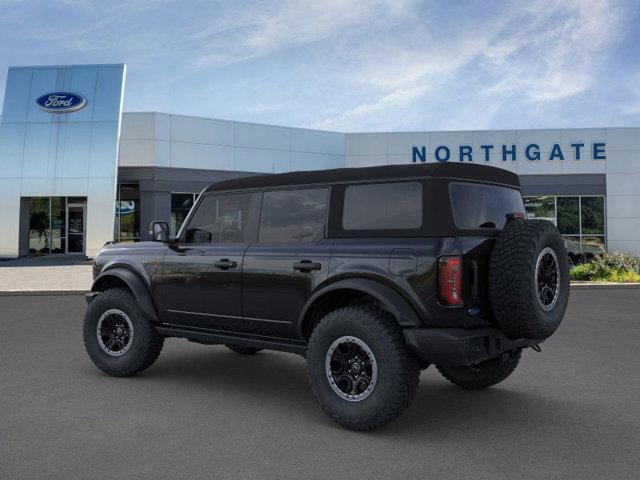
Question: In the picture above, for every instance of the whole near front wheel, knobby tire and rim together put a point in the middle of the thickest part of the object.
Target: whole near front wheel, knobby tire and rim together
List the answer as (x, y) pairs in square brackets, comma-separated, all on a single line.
[(118, 338)]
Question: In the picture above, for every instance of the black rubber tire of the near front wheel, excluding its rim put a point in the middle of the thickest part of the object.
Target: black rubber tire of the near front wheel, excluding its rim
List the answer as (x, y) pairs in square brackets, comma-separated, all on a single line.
[(146, 343)]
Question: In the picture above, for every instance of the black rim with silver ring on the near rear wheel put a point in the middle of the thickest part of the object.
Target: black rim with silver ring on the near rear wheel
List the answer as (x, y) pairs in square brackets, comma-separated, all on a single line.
[(351, 368)]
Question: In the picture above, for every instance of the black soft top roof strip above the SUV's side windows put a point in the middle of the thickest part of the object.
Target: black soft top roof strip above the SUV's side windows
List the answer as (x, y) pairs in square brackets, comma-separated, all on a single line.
[(482, 173)]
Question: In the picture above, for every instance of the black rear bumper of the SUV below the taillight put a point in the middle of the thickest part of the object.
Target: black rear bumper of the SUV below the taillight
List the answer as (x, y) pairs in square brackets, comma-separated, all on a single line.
[(458, 346)]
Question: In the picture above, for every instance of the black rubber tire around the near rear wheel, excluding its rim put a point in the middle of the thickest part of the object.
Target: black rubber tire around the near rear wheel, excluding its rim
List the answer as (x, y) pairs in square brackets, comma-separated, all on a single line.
[(398, 369)]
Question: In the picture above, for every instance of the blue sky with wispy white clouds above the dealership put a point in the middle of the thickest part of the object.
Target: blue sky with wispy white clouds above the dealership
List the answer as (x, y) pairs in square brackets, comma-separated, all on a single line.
[(351, 65)]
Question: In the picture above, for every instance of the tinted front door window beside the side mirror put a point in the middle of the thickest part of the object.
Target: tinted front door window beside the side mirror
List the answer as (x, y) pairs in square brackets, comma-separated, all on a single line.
[(220, 219)]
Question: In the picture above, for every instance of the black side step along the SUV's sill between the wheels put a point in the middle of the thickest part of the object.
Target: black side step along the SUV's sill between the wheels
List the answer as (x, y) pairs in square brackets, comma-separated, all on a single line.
[(219, 337)]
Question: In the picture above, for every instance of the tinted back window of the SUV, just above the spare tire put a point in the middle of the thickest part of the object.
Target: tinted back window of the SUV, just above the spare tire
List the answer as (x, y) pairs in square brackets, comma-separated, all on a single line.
[(478, 206)]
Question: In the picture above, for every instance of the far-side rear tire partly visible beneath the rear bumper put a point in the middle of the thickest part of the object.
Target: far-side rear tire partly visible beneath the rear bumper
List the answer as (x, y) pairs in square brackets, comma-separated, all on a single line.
[(483, 375)]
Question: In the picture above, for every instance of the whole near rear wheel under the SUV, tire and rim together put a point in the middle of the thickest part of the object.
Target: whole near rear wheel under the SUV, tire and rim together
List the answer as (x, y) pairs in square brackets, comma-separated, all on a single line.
[(360, 369)]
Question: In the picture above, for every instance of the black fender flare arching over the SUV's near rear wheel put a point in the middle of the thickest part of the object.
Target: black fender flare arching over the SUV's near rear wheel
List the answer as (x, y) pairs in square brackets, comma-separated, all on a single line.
[(390, 300)]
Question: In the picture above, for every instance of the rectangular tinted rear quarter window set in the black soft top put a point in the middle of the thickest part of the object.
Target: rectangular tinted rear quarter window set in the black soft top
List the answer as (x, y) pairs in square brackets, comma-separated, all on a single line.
[(382, 206)]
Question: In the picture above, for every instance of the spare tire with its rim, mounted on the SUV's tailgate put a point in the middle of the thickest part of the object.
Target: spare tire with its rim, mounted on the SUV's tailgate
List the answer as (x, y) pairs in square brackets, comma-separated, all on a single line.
[(529, 279)]
